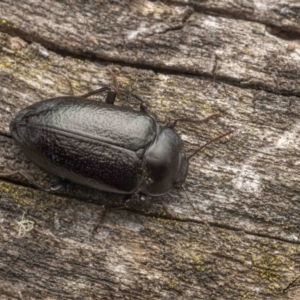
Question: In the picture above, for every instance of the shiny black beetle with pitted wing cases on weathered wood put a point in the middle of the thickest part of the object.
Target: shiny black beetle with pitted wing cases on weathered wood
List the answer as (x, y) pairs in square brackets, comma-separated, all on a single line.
[(103, 146)]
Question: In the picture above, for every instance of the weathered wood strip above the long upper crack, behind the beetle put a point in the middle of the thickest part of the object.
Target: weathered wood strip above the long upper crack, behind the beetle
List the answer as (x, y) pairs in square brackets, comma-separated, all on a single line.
[(165, 37)]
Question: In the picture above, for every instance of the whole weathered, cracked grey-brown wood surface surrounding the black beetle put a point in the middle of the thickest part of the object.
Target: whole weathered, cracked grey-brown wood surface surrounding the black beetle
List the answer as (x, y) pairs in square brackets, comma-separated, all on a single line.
[(186, 59)]
